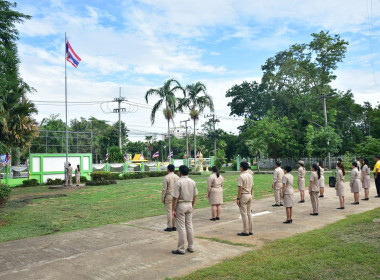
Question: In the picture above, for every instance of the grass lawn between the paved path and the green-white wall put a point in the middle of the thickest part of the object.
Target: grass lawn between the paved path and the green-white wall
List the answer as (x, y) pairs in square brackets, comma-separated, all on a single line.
[(35, 211)]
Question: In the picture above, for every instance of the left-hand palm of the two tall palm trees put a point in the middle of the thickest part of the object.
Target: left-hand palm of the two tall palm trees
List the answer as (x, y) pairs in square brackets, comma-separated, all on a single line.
[(166, 93)]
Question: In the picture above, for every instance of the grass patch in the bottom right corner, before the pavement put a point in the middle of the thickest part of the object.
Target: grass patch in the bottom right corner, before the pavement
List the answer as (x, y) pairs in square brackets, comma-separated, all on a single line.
[(348, 249)]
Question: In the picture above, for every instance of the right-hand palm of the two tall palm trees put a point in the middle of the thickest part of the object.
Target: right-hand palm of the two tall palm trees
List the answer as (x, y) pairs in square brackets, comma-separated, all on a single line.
[(196, 103)]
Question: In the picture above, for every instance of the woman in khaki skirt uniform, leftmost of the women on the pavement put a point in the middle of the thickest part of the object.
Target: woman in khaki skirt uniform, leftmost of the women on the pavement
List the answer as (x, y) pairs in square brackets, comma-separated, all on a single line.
[(215, 193)]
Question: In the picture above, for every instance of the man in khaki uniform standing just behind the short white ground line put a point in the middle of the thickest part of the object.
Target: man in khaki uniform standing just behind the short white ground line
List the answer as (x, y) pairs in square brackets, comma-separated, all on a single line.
[(244, 199)]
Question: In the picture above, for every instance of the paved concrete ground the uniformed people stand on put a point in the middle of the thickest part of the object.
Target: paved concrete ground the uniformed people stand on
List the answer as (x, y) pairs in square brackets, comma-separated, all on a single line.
[(142, 250)]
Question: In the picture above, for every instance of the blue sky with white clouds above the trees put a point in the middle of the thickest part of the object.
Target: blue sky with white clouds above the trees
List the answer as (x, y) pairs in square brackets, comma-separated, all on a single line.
[(137, 45)]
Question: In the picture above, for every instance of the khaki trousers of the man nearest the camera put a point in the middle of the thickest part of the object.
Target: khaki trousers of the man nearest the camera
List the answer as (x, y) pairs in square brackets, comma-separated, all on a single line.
[(184, 223)]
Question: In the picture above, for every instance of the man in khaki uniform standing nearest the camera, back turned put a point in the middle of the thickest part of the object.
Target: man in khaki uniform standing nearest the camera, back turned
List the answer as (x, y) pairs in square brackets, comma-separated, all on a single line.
[(184, 194)]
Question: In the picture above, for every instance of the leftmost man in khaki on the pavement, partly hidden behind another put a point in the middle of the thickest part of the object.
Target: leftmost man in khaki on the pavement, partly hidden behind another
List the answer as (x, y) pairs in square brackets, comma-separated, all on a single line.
[(166, 196)]
